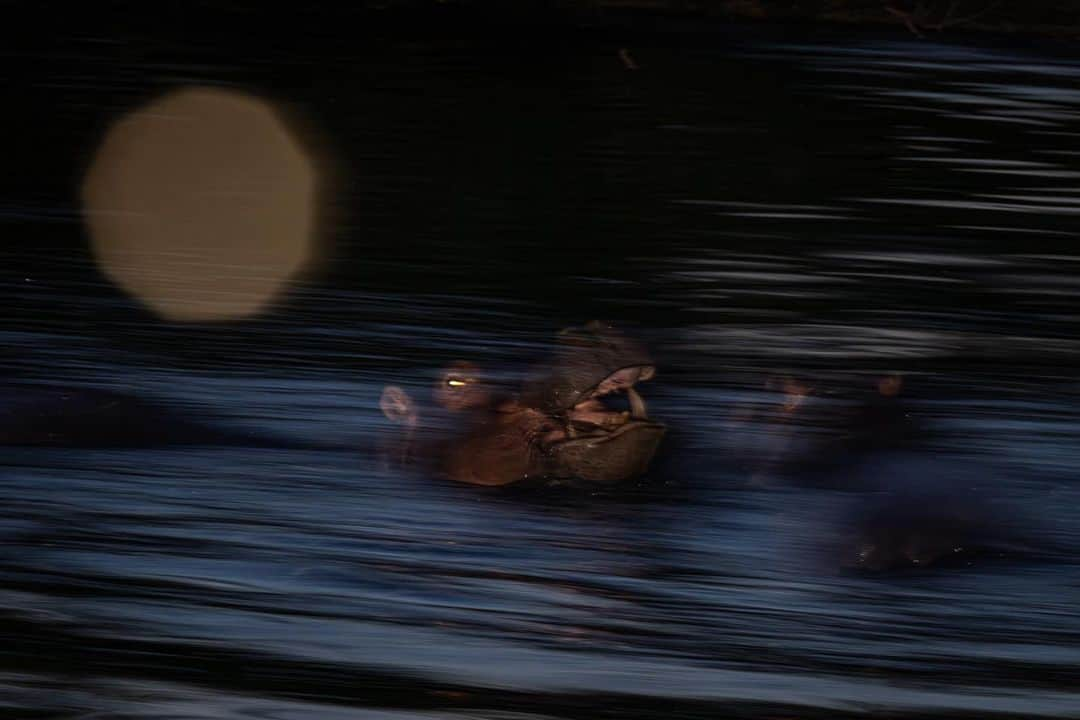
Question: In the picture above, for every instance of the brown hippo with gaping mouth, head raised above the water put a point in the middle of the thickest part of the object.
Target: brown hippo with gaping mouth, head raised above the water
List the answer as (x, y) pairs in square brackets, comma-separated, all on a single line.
[(564, 425)]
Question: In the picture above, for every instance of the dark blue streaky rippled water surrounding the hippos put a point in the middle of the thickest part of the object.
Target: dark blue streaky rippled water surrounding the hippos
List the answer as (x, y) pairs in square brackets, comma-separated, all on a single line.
[(839, 208)]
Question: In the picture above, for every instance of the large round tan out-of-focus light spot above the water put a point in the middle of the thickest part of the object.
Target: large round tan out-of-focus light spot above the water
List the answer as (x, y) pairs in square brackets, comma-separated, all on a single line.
[(201, 205)]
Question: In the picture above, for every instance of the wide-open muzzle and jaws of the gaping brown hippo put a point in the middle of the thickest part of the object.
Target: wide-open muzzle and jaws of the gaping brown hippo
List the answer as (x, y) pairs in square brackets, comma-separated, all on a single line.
[(595, 371)]
